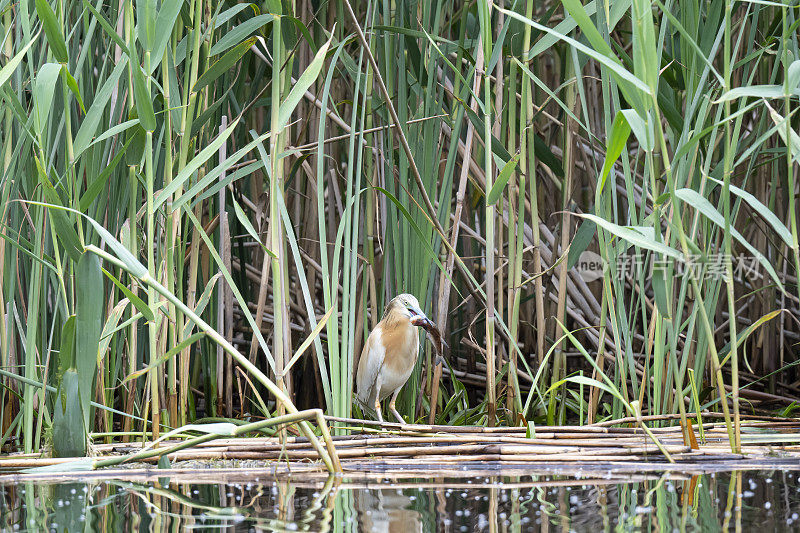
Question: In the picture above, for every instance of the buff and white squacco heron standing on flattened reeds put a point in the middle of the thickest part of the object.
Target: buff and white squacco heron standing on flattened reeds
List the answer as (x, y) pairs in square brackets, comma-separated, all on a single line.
[(389, 355)]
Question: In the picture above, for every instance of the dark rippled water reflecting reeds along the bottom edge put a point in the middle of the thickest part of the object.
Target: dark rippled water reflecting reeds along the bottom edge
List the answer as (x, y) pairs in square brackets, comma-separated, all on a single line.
[(734, 501)]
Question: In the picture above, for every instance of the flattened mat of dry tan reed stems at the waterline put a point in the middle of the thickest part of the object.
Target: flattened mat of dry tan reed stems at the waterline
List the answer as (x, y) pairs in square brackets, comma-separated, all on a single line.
[(413, 448)]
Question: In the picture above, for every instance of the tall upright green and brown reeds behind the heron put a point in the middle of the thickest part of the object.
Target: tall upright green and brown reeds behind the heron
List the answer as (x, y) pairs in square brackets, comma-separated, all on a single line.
[(206, 206)]
